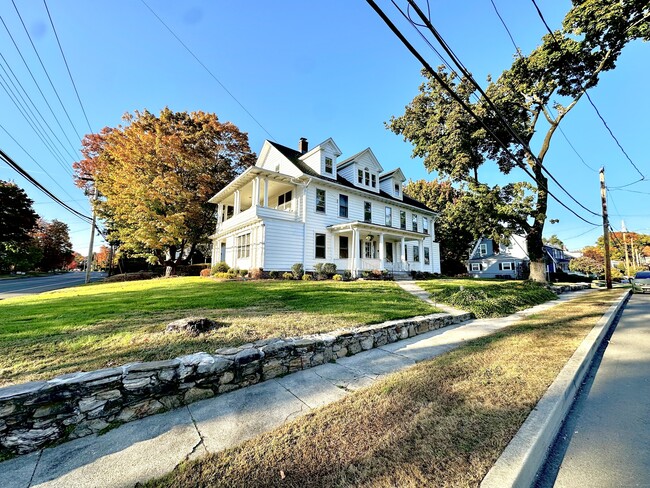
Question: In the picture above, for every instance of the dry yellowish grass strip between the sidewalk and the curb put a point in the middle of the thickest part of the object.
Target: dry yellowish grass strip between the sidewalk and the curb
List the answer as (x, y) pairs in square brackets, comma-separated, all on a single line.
[(443, 422)]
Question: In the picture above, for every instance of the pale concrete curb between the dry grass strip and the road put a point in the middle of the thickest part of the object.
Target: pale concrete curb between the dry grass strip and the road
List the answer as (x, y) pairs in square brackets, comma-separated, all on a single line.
[(527, 451)]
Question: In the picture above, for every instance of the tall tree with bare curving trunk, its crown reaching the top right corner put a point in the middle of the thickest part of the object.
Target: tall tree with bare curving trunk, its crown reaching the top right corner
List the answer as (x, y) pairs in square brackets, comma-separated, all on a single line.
[(593, 34)]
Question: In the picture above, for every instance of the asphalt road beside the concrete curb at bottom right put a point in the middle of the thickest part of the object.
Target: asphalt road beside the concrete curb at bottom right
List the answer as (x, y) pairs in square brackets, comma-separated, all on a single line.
[(605, 440)]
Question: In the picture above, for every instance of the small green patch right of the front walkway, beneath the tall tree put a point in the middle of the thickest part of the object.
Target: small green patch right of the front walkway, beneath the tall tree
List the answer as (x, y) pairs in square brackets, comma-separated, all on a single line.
[(488, 298)]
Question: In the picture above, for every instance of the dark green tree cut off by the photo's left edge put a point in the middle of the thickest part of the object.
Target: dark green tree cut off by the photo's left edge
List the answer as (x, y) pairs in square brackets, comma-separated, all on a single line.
[(17, 221)]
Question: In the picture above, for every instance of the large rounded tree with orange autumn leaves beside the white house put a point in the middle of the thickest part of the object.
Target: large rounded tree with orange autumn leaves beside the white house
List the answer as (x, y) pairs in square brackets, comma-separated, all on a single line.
[(154, 176)]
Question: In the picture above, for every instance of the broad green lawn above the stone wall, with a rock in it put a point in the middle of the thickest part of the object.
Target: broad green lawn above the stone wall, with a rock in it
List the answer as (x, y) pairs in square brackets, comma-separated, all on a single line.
[(103, 325)]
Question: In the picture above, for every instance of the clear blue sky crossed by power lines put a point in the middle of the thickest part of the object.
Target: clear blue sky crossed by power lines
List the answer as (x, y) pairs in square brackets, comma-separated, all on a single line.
[(304, 69)]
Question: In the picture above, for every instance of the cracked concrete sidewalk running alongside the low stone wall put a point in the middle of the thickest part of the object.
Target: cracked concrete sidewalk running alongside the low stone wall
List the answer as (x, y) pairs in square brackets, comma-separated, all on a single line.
[(153, 446)]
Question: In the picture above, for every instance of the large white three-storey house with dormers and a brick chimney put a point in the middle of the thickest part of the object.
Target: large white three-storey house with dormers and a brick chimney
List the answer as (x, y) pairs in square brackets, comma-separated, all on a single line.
[(308, 207)]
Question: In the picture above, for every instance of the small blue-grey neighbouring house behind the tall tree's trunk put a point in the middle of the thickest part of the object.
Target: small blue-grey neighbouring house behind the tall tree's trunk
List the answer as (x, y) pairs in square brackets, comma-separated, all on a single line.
[(487, 259)]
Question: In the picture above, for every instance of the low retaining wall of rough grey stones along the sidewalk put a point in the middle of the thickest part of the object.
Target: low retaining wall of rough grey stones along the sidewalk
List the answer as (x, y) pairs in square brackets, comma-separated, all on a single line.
[(33, 415)]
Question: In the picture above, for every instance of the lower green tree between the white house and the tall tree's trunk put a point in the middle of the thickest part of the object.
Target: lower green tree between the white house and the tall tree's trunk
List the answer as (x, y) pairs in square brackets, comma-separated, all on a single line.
[(467, 212)]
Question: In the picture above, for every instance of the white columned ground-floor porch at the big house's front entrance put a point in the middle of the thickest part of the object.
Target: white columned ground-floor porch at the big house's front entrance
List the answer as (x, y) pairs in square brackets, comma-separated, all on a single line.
[(362, 246)]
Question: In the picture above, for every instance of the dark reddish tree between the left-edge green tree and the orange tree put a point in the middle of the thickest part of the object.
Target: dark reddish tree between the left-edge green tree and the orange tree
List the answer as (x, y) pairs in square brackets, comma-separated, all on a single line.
[(53, 241)]
